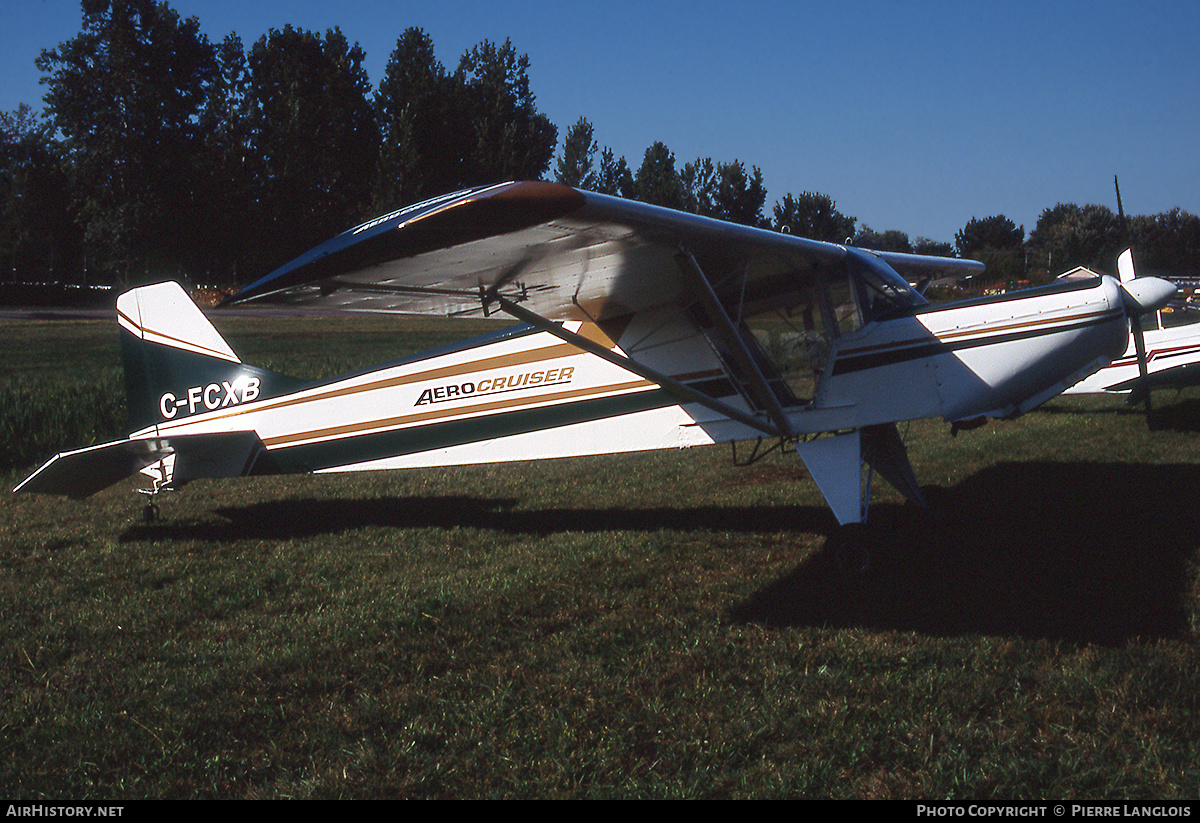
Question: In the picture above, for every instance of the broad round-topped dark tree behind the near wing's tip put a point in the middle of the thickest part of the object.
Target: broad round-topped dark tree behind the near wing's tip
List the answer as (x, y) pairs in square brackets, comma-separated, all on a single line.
[(315, 137)]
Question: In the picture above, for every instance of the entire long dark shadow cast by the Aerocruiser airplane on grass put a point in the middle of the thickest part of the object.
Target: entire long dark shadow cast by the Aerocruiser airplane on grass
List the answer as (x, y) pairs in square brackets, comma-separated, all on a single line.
[(1085, 552)]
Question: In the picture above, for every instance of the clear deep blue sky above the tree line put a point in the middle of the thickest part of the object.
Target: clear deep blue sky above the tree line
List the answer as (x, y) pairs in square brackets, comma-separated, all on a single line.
[(913, 116)]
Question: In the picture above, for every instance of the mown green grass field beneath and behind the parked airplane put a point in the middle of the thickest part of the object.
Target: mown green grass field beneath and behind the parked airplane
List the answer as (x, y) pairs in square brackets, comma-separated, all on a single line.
[(663, 626)]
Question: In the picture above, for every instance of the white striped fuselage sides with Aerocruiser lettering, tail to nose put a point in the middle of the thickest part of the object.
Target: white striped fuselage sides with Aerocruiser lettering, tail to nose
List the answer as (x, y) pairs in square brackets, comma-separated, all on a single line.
[(527, 395)]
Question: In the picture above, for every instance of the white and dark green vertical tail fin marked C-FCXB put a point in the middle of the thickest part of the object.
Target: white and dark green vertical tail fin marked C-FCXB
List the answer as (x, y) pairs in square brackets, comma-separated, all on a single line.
[(177, 364)]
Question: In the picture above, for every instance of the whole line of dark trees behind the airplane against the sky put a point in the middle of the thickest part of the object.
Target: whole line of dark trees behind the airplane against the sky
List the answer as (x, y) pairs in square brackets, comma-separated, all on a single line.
[(164, 154)]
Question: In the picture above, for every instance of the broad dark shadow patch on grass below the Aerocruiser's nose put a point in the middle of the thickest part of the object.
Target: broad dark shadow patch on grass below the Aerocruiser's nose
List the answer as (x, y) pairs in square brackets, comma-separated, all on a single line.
[(1083, 552)]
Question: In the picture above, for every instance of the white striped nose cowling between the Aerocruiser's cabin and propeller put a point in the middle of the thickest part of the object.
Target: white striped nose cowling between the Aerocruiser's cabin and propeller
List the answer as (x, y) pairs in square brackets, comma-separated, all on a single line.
[(998, 357)]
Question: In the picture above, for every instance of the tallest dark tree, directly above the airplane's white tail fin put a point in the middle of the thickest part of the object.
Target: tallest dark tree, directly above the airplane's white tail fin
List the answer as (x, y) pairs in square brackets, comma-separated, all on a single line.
[(127, 95)]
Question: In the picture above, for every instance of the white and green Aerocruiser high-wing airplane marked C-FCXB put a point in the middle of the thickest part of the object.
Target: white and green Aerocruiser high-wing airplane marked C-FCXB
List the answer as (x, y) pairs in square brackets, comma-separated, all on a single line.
[(643, 328)]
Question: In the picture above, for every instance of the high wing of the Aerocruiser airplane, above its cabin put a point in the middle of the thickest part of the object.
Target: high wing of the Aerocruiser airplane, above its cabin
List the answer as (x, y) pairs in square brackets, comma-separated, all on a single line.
[(561, 254)]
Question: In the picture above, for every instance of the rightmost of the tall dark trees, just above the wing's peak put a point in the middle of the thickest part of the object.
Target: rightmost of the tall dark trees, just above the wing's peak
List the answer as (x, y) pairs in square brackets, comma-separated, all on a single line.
[(511, 139)]
